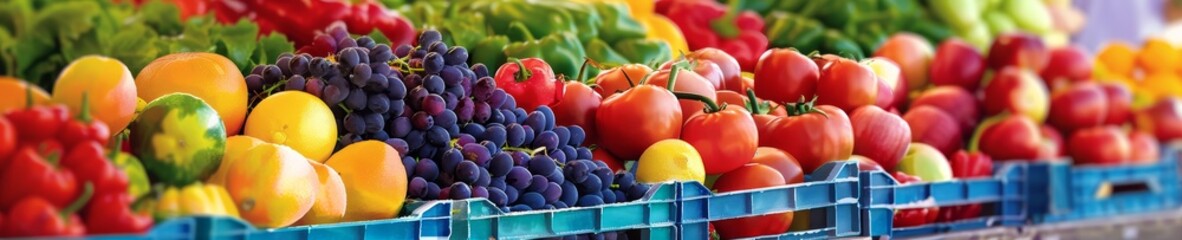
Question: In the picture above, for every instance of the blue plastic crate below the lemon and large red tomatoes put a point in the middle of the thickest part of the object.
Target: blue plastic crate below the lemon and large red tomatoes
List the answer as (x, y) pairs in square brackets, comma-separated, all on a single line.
[(830, 196)]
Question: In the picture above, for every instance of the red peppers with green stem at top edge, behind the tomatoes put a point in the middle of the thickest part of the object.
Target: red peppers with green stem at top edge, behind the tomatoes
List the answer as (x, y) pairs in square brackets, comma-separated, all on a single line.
[(707, 24)]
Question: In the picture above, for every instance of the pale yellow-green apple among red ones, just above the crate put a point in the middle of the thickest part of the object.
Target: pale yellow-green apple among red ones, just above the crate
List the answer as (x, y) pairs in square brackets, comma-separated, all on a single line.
[(926, 163)]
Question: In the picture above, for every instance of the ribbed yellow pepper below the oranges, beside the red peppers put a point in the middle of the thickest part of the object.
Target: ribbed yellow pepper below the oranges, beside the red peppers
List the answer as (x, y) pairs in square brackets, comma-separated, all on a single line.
[(196, 199)]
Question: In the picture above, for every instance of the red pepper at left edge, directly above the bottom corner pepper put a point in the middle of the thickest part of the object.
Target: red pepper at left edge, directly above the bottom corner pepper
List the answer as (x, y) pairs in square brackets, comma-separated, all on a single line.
[(30, 176)]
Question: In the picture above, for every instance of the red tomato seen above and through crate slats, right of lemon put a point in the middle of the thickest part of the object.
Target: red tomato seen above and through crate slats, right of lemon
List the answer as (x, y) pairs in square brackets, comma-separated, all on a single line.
[(751, 177)]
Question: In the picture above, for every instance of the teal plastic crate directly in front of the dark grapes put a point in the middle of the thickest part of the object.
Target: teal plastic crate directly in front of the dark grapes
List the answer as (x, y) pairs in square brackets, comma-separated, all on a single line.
[(654, 216)]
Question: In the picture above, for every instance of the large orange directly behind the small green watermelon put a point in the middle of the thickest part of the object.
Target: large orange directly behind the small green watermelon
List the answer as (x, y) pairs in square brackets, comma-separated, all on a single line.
[(209, 76)]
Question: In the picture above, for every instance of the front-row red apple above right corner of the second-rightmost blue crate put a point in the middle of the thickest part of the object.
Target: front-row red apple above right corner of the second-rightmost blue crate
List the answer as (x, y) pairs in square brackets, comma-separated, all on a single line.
[(1011, 138)]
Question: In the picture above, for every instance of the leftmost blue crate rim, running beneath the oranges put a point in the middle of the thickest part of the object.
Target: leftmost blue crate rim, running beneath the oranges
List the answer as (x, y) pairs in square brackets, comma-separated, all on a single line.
[(430, 220)]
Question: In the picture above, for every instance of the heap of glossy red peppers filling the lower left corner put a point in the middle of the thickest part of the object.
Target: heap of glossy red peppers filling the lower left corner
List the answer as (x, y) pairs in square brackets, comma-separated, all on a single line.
[(54, 168)]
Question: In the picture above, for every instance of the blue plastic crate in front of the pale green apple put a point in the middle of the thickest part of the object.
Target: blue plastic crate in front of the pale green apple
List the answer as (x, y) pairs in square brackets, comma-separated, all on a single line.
[(1001, 196)]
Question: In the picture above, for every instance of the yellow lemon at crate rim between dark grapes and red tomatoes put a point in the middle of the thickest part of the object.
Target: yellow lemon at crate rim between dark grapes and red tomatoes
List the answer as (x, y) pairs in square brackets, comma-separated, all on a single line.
[(671, 160)]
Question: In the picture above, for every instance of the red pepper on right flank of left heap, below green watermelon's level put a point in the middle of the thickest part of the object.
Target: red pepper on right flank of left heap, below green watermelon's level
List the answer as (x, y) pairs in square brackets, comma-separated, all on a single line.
[(89, 164)]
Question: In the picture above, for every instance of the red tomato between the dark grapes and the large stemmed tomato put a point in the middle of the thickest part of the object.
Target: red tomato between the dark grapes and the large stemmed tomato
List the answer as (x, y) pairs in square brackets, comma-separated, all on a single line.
[(577, 108)]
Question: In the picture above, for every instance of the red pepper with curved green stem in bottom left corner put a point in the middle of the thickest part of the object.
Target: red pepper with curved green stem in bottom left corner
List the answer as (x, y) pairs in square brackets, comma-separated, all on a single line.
[(37, 217)]
